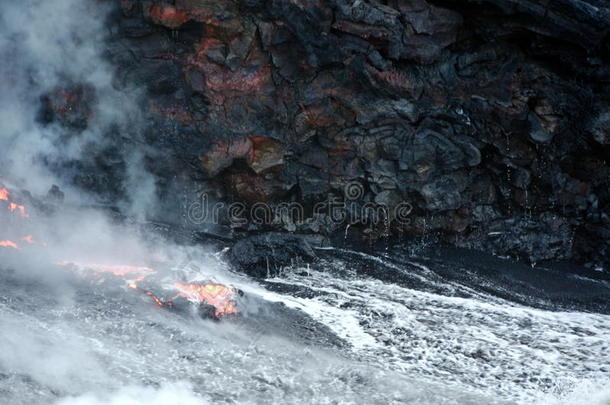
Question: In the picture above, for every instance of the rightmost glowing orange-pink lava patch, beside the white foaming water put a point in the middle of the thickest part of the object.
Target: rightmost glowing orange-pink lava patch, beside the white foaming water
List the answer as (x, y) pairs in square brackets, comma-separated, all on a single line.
[(217, 295)]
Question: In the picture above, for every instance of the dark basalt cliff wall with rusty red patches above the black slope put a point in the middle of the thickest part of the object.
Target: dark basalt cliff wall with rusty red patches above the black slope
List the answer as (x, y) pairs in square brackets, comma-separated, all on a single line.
[(490, 117)]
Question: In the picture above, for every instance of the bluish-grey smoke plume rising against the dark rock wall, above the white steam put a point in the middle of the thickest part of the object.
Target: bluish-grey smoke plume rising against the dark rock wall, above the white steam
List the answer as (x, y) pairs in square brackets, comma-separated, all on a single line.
[(61, 110)]
